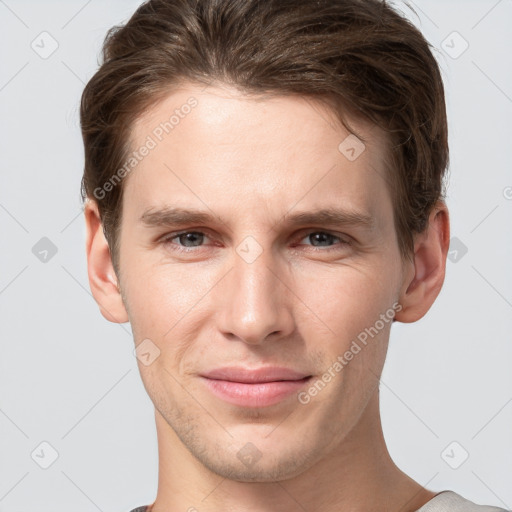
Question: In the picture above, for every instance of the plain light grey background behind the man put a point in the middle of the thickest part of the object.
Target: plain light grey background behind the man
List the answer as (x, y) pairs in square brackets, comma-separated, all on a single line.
[(69, 378)]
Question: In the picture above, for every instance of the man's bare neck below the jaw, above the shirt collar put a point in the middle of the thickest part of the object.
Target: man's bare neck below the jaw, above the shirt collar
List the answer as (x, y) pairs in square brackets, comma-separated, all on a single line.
[(358, 475)]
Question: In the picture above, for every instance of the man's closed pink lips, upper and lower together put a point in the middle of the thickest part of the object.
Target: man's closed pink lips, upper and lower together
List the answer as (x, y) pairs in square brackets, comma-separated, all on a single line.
[(260, 387)]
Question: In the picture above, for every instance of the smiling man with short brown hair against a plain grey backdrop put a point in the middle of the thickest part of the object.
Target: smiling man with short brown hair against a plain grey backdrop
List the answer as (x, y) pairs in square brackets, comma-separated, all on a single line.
[(264, 198)]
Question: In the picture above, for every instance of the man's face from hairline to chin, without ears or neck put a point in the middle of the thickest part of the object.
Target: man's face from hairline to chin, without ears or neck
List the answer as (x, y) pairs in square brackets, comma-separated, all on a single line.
[(251, 289)]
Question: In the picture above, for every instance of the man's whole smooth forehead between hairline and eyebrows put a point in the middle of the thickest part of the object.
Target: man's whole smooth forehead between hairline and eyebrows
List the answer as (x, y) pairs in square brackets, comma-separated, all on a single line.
[(208, 144)]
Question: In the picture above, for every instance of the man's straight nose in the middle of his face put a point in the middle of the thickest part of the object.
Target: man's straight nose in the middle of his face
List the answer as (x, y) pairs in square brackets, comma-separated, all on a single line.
[(254, 300)]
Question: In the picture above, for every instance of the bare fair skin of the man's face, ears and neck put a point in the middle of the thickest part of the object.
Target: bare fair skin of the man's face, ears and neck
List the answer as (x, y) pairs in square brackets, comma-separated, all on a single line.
[(252, 162)]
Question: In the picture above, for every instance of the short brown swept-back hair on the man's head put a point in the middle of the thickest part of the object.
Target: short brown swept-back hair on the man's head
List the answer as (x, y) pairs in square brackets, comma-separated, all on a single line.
[(360, 54)]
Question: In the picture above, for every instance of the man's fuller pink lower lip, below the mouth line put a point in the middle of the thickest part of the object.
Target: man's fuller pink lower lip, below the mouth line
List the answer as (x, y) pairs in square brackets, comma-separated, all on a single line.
[(260, 394)]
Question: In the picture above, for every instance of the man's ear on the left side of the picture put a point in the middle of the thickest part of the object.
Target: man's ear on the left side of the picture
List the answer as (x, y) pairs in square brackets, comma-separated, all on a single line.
[(102, 277)]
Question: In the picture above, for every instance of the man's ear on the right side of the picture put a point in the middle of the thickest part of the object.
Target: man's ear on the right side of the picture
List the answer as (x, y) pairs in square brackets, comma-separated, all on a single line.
[(424, 276)]
